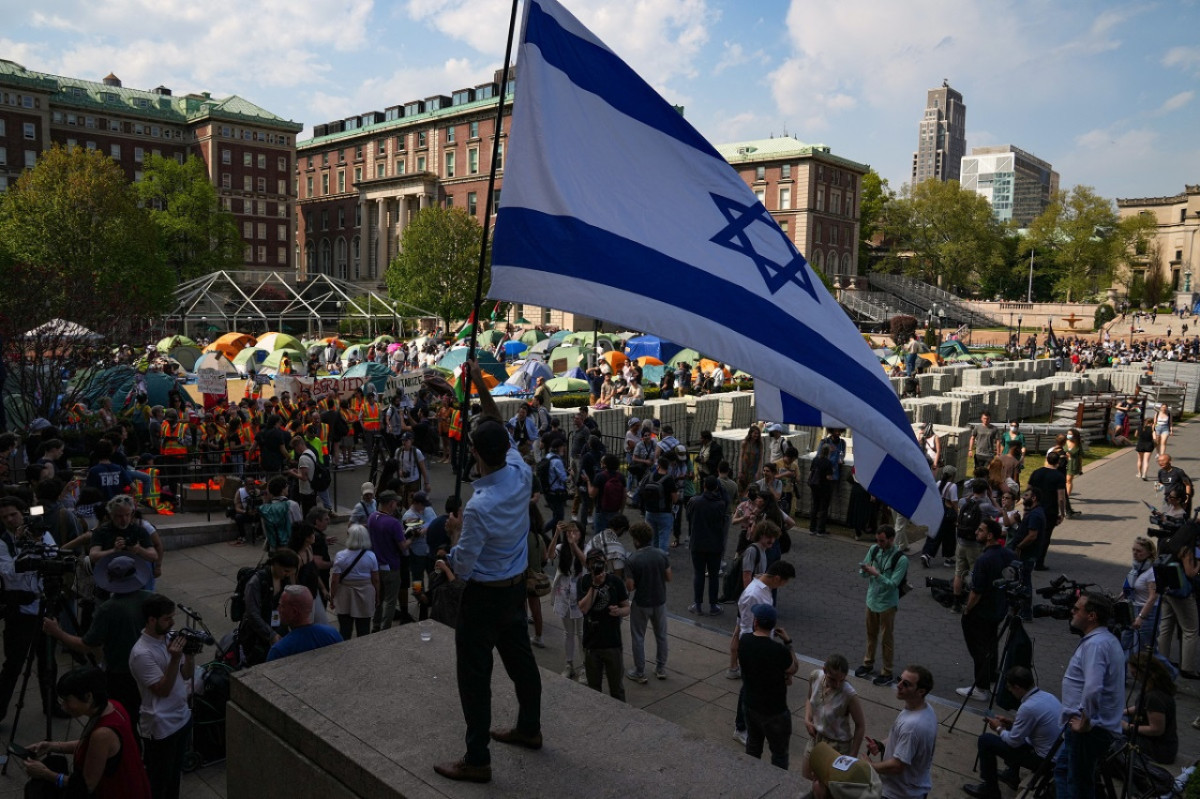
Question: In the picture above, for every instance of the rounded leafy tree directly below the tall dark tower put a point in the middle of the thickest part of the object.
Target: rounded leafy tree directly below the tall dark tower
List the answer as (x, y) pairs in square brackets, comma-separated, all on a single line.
[(944, 235)]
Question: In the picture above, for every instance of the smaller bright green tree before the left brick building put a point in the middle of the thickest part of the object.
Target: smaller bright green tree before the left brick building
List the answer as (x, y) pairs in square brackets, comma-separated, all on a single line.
[(196, 235)]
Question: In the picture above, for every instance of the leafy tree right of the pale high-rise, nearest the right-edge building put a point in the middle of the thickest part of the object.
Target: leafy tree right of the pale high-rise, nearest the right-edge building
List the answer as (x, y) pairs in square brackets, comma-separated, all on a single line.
[(1083, 242)]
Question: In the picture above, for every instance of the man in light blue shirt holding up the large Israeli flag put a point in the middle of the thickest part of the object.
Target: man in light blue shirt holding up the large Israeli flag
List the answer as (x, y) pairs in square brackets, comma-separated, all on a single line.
[(491, 555)]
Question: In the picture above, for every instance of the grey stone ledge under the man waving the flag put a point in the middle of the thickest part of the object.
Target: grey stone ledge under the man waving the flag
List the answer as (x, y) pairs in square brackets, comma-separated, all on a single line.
[(374, 716)]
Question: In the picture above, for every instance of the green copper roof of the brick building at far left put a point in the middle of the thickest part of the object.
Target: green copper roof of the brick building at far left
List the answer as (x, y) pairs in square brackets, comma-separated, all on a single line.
[(178, 110)]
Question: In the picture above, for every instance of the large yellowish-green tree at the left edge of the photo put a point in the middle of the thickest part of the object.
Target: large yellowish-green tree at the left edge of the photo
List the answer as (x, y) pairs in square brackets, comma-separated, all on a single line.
[(75, 245)]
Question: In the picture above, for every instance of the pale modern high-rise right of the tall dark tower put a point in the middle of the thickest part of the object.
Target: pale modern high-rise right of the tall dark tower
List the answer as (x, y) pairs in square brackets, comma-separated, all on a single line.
[(1018, 184)]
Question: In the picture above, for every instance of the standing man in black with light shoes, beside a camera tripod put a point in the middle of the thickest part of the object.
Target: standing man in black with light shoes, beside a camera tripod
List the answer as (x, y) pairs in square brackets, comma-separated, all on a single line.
[(986, 609)]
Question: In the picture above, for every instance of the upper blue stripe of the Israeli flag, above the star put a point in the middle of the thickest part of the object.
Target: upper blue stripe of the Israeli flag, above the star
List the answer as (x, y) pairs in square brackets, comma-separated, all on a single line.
[(599, 73)]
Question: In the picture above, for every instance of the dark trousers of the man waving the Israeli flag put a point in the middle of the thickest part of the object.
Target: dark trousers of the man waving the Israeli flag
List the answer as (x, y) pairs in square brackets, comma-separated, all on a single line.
[(495, 618)]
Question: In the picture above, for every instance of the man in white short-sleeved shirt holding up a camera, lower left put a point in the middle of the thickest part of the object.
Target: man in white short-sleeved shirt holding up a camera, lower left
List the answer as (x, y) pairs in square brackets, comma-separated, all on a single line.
[(163, 666)]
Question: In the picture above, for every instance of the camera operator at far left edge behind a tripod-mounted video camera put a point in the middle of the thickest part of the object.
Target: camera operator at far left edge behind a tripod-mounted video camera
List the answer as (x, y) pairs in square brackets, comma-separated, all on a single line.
[(23, 608)]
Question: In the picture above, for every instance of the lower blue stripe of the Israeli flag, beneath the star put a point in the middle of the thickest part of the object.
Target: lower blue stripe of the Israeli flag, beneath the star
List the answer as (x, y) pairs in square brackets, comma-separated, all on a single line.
[(567, 247)]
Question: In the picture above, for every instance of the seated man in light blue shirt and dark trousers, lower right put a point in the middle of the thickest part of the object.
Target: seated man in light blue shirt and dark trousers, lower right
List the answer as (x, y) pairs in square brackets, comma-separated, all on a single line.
[(1022, 742)]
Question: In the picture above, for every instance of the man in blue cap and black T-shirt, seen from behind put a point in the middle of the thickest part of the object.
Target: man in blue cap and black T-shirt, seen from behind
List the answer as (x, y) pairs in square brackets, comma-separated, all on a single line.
[(767, 660)]
